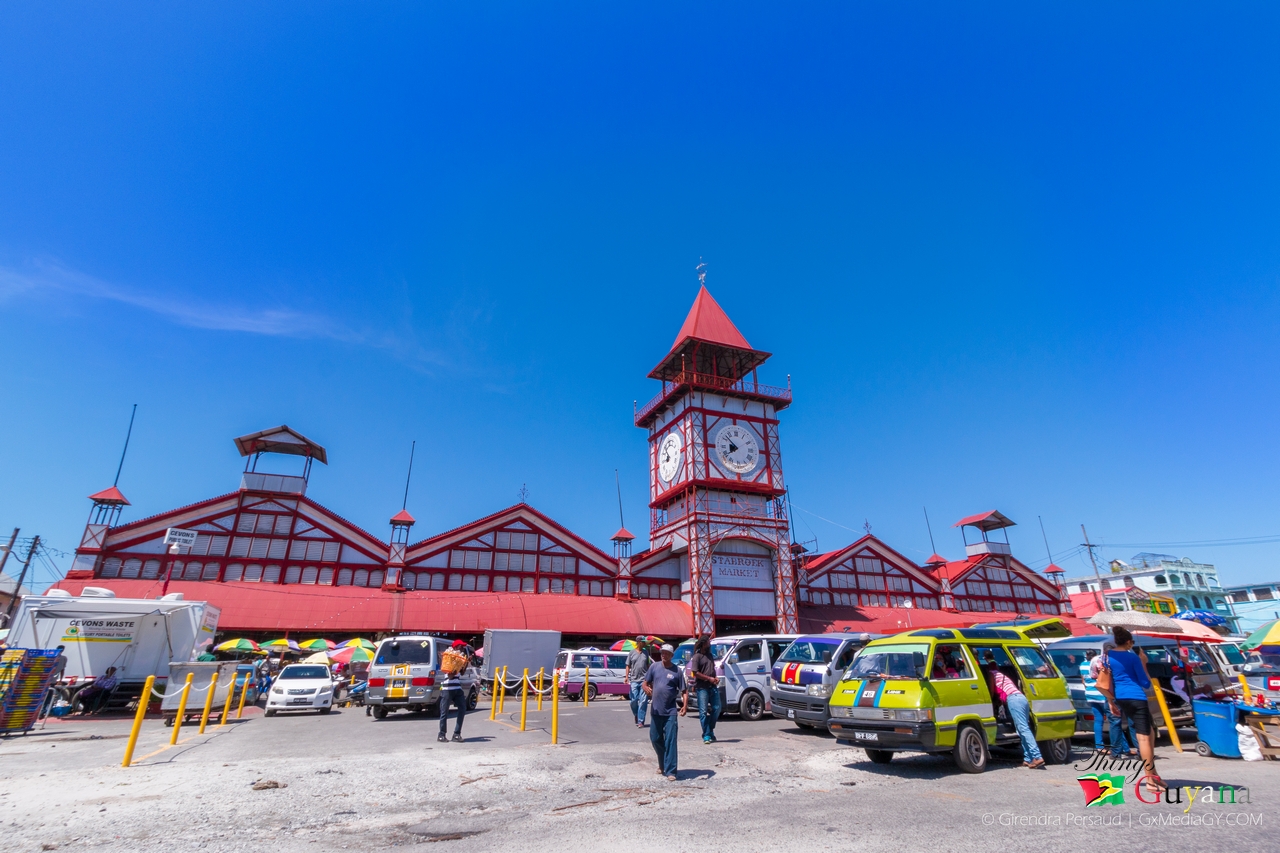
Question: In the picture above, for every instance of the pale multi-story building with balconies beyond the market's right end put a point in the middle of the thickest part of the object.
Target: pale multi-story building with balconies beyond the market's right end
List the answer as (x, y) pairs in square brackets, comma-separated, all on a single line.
[(1192, 586)]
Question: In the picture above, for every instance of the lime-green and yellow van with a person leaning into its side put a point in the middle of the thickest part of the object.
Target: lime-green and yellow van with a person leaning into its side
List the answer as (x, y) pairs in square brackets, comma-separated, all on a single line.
[(930, 691)]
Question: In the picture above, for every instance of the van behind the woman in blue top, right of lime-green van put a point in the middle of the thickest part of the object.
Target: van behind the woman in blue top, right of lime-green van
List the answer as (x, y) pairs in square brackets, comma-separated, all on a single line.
[(1183, 669)]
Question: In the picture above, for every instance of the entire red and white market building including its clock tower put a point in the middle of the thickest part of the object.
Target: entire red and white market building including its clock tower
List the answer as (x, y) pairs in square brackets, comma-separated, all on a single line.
[(720, 558)]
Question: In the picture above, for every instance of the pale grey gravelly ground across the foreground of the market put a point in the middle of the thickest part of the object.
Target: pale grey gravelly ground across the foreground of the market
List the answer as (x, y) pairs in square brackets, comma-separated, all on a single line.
[(348, 782)]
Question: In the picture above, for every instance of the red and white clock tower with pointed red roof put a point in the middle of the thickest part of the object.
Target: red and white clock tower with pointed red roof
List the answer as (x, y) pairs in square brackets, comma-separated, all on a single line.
[(716, 490)]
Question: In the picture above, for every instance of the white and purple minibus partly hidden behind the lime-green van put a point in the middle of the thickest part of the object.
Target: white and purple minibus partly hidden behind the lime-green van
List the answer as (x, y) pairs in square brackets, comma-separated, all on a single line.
[(807, 672)]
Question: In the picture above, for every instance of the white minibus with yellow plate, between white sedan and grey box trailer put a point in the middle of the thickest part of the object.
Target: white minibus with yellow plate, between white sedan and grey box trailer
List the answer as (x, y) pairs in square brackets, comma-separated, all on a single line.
[(405, 676)]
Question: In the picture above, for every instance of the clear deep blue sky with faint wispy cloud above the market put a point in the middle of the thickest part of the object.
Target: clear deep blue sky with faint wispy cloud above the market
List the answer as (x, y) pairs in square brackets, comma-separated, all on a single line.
[(1017, 258)]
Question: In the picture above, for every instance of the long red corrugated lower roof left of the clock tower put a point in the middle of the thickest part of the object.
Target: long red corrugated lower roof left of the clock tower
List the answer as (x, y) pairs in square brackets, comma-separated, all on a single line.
[(356, 610)]
